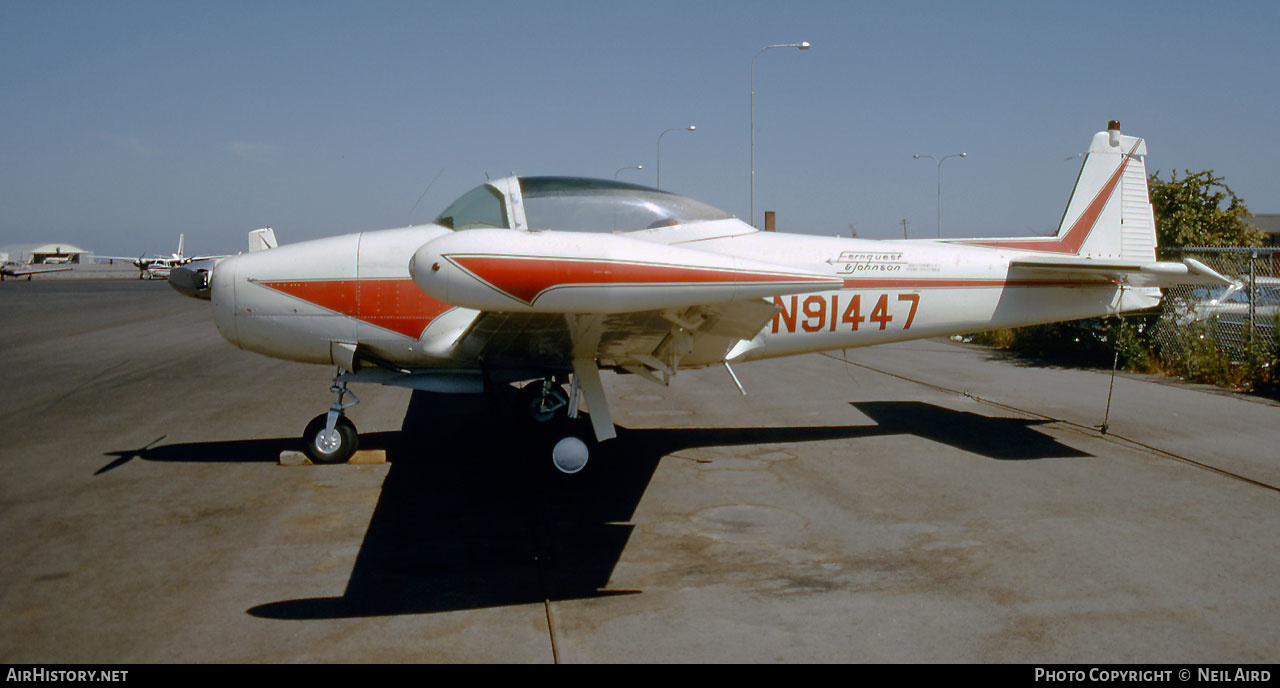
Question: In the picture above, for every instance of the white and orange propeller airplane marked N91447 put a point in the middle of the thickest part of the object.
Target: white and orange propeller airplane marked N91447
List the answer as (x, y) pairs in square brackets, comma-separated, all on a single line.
[(551, 281)]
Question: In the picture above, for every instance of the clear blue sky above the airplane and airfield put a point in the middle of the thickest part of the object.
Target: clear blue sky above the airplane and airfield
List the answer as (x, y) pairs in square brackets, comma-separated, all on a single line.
[(124, 125)]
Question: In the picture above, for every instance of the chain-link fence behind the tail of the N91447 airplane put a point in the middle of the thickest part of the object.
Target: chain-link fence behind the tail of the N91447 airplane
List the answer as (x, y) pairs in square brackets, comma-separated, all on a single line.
[(1236, 325)]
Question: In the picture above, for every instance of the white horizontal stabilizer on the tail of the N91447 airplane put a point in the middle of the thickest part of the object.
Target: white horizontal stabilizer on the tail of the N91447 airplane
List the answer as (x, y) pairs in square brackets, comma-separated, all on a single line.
[(1137, 274)]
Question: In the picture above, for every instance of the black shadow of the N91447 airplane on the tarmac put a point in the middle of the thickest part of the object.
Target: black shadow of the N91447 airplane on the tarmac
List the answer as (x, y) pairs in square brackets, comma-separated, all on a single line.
[(473, 516)]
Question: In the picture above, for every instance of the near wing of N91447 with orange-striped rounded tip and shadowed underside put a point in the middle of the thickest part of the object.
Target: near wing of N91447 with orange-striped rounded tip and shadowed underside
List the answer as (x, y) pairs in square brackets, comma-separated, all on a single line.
[(556, 301)]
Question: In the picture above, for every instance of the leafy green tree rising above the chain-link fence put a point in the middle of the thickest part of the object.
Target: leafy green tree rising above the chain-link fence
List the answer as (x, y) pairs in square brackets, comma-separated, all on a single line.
[(1200, 210)]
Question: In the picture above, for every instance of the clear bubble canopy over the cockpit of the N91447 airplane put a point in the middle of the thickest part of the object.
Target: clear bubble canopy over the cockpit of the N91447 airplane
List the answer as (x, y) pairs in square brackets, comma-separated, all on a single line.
[(574, 204)]
